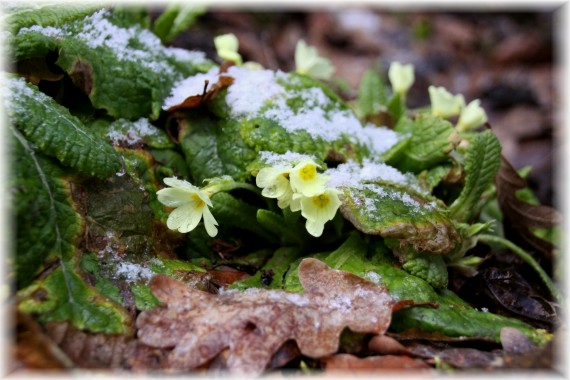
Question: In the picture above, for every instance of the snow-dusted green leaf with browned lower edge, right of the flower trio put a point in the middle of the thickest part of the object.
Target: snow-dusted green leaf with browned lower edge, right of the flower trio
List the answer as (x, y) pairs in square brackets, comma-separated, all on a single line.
[(397, 212)]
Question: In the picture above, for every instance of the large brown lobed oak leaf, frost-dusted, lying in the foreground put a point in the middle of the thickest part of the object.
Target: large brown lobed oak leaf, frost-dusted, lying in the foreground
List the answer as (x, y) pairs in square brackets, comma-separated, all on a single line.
[(255, 323)]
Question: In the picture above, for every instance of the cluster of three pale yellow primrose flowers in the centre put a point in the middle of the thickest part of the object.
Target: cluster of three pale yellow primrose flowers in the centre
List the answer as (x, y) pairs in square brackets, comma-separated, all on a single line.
[(301, 188)]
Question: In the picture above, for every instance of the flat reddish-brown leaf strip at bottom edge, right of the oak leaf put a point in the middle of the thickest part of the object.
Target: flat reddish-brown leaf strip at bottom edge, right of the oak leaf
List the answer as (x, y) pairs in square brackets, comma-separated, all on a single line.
[(347, 363)]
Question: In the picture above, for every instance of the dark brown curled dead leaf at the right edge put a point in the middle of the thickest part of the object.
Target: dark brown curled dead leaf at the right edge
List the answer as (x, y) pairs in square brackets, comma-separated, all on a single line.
[(522, 216)]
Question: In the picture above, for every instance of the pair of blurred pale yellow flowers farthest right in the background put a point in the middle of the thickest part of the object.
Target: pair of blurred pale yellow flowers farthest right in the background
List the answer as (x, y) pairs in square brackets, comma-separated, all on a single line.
[(444, 104)]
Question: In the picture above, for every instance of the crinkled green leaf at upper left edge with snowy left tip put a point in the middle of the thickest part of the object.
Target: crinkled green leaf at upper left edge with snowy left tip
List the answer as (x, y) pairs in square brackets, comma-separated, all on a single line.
[(56, 132)]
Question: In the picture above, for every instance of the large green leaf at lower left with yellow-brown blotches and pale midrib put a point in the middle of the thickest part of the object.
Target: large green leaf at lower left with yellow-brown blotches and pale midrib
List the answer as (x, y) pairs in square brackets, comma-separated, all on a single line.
[(52, 227)]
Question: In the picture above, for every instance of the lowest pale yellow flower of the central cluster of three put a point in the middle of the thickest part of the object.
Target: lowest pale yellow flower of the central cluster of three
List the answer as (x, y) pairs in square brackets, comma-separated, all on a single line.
[(319, 209)]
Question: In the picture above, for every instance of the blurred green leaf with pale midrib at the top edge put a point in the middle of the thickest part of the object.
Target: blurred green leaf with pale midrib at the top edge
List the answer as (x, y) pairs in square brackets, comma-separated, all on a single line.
[(176, 19)]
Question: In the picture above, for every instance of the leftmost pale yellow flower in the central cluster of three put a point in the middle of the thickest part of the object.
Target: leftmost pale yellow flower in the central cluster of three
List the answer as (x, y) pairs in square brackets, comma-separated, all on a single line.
[(275, 184)]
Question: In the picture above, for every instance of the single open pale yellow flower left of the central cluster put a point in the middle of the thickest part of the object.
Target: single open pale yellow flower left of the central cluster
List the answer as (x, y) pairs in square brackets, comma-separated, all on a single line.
[(190, 205)]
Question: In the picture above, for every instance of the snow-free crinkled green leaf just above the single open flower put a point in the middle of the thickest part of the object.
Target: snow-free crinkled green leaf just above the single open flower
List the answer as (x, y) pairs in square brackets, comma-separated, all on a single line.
[(213, 148)]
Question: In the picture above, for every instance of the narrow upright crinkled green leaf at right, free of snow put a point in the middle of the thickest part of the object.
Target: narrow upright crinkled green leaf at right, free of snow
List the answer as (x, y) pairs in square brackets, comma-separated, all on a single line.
[(482, 162)]
